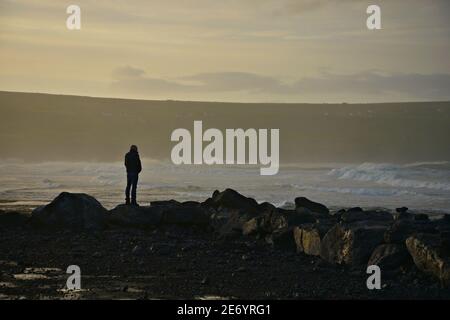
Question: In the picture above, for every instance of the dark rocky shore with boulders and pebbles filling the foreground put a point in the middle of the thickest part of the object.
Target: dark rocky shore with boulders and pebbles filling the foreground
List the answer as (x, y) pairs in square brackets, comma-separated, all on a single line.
[(228, 246)]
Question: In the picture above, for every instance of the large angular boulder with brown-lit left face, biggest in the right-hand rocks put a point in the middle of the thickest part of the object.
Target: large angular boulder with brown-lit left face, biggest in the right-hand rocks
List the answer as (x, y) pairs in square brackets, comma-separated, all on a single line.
[(351, 244)]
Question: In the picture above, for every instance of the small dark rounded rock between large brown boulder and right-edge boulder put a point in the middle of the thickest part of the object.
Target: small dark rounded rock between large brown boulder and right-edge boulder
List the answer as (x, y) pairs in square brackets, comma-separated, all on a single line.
[(390, 257)]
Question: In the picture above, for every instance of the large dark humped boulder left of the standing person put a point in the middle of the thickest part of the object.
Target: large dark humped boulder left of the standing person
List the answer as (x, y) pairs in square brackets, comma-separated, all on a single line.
[(71, 211)]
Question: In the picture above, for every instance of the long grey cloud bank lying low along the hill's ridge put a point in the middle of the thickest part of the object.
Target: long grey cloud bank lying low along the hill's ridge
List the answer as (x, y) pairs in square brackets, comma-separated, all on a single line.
[(327, 86)]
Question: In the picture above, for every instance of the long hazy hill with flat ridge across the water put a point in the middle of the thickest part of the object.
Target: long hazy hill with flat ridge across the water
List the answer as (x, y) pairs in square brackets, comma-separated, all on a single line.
[(43, 127)]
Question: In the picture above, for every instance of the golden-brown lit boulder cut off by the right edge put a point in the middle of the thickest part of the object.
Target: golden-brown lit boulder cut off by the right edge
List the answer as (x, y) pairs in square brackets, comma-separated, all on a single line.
[(429, 256)]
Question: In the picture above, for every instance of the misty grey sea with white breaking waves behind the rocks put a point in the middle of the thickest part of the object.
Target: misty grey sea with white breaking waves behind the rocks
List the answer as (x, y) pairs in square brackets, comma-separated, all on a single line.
[(422, 187)]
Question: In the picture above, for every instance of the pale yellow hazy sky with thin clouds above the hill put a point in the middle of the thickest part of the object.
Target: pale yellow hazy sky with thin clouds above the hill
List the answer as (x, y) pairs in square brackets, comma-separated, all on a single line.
[(230, 50)]
